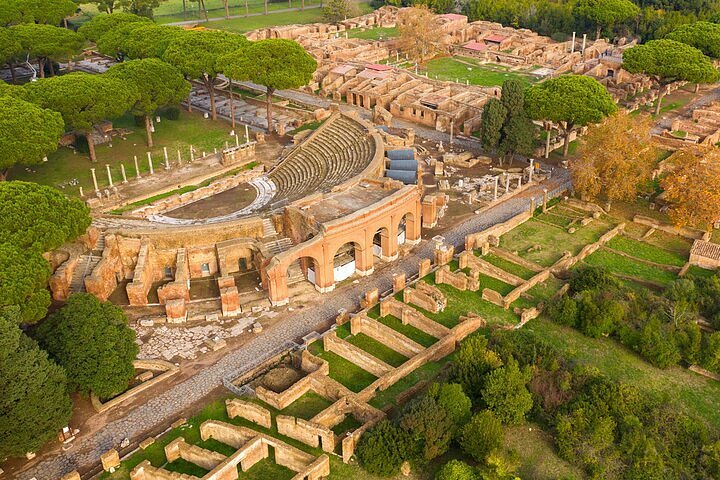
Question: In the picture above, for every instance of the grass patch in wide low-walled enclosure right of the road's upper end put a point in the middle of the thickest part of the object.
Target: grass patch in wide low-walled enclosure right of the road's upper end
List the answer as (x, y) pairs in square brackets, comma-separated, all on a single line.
[(551, 240)]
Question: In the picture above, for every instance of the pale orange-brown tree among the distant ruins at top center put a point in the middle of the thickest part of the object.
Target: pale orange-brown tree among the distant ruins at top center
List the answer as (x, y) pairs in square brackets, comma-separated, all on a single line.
[(419, 33)]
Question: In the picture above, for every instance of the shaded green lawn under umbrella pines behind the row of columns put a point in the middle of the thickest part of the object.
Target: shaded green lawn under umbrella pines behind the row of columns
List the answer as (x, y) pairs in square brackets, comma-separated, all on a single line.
[(64, 165)]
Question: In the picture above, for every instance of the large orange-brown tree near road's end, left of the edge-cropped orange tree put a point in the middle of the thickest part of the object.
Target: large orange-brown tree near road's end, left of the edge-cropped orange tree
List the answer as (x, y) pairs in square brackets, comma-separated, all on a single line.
[(616, 156)]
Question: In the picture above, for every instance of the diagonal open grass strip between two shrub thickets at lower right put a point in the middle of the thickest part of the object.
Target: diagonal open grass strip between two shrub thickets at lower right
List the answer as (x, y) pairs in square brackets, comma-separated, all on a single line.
[(692, 393)]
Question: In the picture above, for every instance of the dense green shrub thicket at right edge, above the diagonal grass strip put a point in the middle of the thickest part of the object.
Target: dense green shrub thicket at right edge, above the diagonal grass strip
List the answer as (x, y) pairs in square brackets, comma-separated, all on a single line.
[(663, 329)]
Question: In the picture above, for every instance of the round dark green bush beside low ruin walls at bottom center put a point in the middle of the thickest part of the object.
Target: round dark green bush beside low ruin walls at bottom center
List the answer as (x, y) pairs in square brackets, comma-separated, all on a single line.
[(383, 448)]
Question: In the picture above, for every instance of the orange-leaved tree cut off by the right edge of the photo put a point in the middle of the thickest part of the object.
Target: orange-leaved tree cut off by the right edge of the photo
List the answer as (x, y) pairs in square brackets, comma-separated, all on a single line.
[(693, 186)]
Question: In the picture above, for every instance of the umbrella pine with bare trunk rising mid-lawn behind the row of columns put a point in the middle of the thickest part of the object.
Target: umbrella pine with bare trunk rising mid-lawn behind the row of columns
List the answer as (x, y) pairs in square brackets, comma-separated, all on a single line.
[(158, 83)]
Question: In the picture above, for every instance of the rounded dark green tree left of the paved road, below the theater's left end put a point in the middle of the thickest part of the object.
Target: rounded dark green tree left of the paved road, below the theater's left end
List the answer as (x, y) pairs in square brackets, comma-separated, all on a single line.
[(93, 342)]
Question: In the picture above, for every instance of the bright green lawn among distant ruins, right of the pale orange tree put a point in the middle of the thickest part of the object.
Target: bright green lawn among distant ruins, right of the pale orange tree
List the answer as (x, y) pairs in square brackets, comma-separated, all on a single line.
[(468, 70)]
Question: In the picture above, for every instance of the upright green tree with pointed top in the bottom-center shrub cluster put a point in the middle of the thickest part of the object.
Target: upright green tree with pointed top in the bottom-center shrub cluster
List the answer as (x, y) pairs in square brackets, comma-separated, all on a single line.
[(506, 394)]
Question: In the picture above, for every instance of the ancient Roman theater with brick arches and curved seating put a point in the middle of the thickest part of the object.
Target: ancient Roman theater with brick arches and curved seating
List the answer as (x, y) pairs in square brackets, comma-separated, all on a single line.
[(334, 204)]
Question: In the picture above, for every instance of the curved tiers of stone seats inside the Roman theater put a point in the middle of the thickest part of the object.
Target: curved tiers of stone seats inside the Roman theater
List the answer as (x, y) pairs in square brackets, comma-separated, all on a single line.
[(337, 151)]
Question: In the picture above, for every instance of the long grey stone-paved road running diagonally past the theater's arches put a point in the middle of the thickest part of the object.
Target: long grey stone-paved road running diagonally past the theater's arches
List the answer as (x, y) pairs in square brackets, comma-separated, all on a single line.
[(169, 405)]
